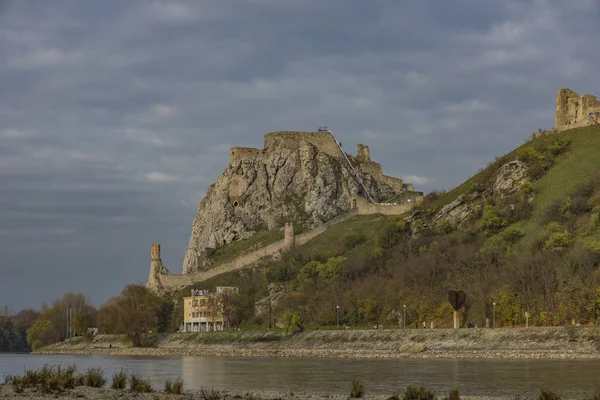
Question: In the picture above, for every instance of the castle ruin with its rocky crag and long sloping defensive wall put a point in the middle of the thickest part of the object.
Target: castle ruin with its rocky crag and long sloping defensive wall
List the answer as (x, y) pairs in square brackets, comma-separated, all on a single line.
[(299, 179)]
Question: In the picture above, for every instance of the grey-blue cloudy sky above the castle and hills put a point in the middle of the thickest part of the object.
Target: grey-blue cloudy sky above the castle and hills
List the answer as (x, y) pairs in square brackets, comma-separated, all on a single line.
[(115, 116)]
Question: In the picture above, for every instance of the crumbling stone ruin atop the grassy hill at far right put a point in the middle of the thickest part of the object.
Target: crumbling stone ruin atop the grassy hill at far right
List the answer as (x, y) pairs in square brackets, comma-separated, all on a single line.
[(573, 111)]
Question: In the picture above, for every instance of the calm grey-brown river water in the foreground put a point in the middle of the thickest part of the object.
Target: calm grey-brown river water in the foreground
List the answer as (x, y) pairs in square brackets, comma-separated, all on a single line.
[(380, 376)]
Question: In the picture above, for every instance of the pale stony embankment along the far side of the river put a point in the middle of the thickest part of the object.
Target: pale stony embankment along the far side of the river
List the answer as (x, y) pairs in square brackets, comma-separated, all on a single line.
[(520, 343)]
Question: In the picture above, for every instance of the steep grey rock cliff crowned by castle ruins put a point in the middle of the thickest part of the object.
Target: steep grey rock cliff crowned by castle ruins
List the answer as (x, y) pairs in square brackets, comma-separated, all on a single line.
[(299, 176)]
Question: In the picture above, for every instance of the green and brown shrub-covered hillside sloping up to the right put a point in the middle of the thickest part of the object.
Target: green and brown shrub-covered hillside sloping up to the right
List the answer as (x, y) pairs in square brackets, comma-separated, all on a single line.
[(537, 250)]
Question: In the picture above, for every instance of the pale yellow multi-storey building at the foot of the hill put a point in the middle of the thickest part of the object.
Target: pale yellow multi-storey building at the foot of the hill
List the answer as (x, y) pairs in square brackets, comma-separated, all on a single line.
[(204, 310)]
